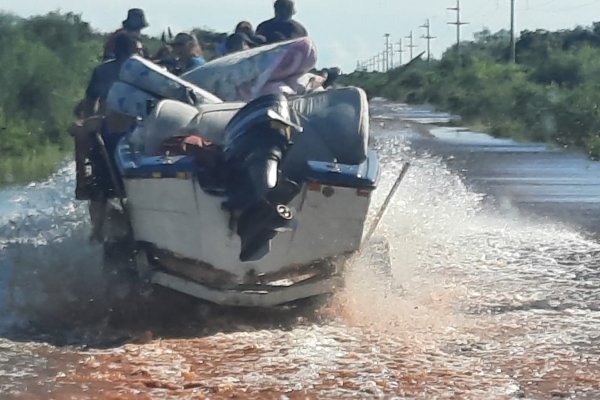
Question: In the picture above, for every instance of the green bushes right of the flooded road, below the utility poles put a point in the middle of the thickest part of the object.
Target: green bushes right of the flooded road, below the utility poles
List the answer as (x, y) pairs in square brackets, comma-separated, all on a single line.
[(552, 94)]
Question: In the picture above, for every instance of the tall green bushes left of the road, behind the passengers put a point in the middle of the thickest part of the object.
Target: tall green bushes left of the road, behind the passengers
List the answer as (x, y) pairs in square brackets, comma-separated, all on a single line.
[(46, 62)]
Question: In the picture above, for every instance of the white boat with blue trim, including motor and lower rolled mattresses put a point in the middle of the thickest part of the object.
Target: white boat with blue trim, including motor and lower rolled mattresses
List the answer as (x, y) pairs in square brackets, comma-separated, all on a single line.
[(268, 212)]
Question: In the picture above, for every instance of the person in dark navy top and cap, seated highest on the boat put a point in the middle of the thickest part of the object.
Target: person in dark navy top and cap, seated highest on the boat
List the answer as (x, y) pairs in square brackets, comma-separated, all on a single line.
[(282, 27)]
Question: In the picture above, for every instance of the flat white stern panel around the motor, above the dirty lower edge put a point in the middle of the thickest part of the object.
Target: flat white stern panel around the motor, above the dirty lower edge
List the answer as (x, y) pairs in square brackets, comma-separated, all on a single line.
[(177, 215)]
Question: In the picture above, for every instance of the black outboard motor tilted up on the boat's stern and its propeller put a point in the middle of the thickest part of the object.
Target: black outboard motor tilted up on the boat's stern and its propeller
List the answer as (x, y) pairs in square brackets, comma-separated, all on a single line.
[(256, 140)]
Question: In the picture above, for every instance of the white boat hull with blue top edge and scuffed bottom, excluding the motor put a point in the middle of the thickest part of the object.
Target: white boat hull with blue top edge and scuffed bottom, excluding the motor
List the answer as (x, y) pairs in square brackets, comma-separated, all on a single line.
[(187, 241)]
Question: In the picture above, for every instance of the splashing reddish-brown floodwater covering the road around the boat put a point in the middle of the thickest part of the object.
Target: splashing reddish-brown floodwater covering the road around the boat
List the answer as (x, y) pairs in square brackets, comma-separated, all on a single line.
[(493, 295)]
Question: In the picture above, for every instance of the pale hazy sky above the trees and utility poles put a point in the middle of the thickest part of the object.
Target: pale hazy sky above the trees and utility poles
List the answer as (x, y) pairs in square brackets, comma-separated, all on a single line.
[(345, 31)]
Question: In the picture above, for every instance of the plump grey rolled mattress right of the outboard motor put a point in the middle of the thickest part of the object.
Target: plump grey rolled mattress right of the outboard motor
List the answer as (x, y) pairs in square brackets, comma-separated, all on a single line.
[(336, 127)]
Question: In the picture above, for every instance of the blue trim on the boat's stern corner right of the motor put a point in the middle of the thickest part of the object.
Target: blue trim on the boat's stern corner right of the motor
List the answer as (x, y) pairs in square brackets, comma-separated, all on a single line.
[(363, 176)]
